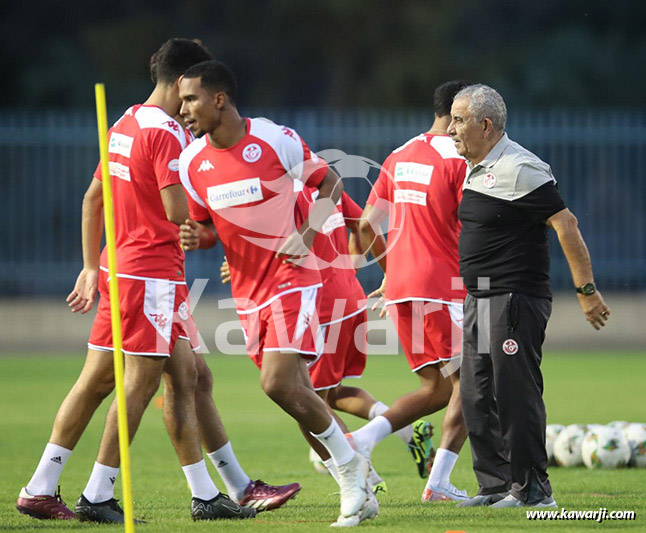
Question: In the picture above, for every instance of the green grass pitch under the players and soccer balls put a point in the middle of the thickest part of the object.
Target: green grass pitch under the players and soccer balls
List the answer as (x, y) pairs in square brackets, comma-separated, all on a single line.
[(579, 388)]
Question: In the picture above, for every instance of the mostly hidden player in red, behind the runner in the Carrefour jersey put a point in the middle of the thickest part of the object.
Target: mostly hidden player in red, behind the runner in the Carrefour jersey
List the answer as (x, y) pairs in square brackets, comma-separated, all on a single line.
[(342, 317)]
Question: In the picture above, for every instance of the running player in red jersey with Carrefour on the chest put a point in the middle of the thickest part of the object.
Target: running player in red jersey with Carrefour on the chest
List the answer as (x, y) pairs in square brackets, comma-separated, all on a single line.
[(240, 179)]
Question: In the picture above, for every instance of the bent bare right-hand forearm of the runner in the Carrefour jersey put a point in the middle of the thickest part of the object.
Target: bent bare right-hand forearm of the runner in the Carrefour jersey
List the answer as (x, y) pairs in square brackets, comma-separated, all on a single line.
[(300, 243)]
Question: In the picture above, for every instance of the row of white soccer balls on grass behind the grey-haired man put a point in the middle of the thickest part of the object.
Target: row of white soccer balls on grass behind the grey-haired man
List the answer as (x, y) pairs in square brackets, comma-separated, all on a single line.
[(615, 445)]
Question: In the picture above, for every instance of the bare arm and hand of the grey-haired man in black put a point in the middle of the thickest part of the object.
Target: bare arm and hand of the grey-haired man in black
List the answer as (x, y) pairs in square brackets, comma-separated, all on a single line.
[(576, 252)]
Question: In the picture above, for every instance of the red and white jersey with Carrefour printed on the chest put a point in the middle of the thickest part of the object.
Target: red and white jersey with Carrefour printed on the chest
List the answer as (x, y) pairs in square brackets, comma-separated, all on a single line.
[(247, 190)]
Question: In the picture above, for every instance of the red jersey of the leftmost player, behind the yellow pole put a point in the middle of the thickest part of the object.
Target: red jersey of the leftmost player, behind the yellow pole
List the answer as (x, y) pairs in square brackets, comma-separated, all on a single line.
[(144, 147)]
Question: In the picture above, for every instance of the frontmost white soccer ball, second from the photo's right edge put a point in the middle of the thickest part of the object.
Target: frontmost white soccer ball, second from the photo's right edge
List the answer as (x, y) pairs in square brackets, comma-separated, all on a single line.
[(605, 447)]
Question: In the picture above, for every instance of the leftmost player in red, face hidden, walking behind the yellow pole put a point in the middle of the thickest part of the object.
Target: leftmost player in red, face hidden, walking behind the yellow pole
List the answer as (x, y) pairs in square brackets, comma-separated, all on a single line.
[(144, 147)]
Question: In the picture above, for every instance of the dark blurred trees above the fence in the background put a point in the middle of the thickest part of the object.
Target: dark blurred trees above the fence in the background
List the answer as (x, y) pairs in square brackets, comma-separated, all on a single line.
[(336, 53)]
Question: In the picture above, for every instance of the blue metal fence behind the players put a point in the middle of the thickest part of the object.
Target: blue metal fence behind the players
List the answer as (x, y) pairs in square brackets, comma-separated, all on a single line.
[(599, 159)]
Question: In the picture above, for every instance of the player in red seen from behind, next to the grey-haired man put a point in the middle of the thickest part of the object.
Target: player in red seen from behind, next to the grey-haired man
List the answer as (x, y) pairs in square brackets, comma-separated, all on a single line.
[(419, 188)]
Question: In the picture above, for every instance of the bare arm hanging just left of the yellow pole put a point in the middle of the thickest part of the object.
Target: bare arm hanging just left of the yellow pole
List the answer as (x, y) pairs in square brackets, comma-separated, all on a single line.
[(84, 293)]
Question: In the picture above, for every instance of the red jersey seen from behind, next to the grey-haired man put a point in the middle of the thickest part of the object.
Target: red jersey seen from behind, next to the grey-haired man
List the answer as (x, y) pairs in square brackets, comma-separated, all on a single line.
[(420, 187)]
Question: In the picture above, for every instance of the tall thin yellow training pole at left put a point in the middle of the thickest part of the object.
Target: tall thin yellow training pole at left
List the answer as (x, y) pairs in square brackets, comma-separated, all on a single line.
[(122, 416)]
